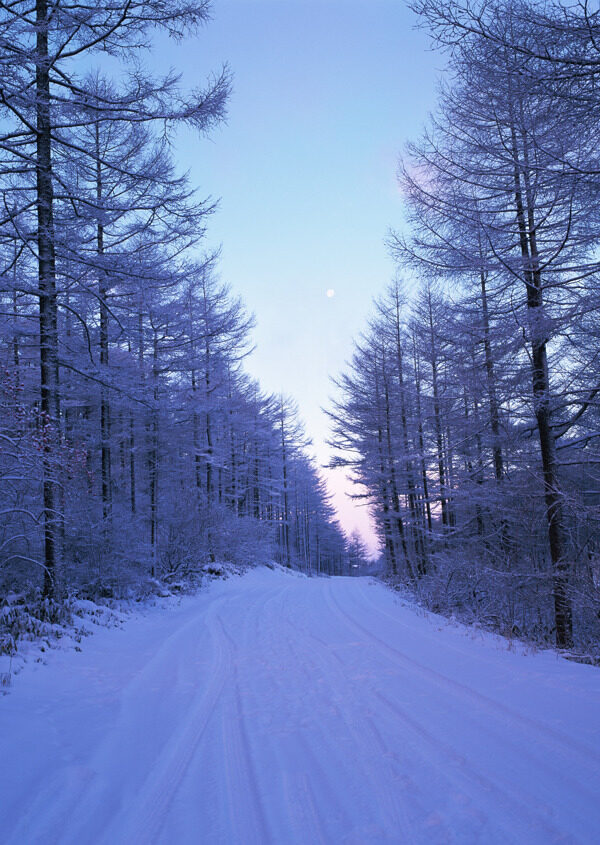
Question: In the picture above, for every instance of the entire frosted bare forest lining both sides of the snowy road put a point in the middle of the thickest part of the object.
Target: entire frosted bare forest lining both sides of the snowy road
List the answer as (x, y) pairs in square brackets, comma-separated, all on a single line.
[(134, 447)]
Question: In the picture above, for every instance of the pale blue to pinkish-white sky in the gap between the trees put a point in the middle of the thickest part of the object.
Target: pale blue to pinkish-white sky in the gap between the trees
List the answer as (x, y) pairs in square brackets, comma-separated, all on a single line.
[(325, 96)]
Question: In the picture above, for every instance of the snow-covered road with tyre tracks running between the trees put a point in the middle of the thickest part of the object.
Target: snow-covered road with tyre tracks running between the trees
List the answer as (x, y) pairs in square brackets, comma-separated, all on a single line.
[(280, 709)]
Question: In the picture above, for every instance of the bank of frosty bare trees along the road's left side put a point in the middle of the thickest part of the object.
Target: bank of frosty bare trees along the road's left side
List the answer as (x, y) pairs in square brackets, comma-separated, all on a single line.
[(132, 442)]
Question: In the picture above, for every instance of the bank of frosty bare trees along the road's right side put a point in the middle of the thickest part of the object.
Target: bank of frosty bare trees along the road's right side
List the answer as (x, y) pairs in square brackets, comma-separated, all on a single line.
[(470, 410)]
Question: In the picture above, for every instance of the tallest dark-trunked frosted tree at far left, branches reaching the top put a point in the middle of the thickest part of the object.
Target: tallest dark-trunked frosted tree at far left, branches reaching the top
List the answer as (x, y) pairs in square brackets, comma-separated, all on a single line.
[(44, 99)]
